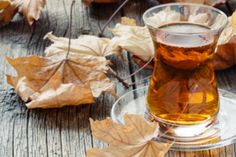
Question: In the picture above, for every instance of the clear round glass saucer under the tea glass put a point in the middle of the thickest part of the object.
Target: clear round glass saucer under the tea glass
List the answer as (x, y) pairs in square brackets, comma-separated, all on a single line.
[(221, 134)]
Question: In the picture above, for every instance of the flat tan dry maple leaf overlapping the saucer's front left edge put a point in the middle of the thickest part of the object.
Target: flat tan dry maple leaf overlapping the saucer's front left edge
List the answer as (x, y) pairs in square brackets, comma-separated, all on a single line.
[(134, 138)]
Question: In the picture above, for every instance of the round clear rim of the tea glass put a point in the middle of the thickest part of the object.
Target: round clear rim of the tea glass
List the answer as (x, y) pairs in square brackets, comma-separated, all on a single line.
[(186, 4)]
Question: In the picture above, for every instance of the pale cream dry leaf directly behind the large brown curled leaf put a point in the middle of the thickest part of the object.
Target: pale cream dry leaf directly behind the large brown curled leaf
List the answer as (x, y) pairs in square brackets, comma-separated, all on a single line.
[(84, 45)]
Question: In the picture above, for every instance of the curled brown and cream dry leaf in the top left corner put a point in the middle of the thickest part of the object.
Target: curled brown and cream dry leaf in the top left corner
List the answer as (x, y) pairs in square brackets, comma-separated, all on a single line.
[(30, 9)]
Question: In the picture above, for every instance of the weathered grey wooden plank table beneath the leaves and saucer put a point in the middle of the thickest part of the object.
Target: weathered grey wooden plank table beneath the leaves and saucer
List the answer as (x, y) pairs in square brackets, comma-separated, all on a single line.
[(66, 132)]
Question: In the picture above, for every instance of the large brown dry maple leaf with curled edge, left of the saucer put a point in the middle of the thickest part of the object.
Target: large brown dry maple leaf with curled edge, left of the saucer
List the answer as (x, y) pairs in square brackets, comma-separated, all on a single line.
[(54, 81)]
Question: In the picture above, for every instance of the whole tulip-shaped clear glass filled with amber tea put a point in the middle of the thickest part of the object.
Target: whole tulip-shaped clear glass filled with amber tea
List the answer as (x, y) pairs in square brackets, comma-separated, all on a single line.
[(183, 95)]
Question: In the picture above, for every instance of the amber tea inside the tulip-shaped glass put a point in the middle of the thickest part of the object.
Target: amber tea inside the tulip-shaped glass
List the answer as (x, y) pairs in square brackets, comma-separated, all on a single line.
[(183, 89)]
